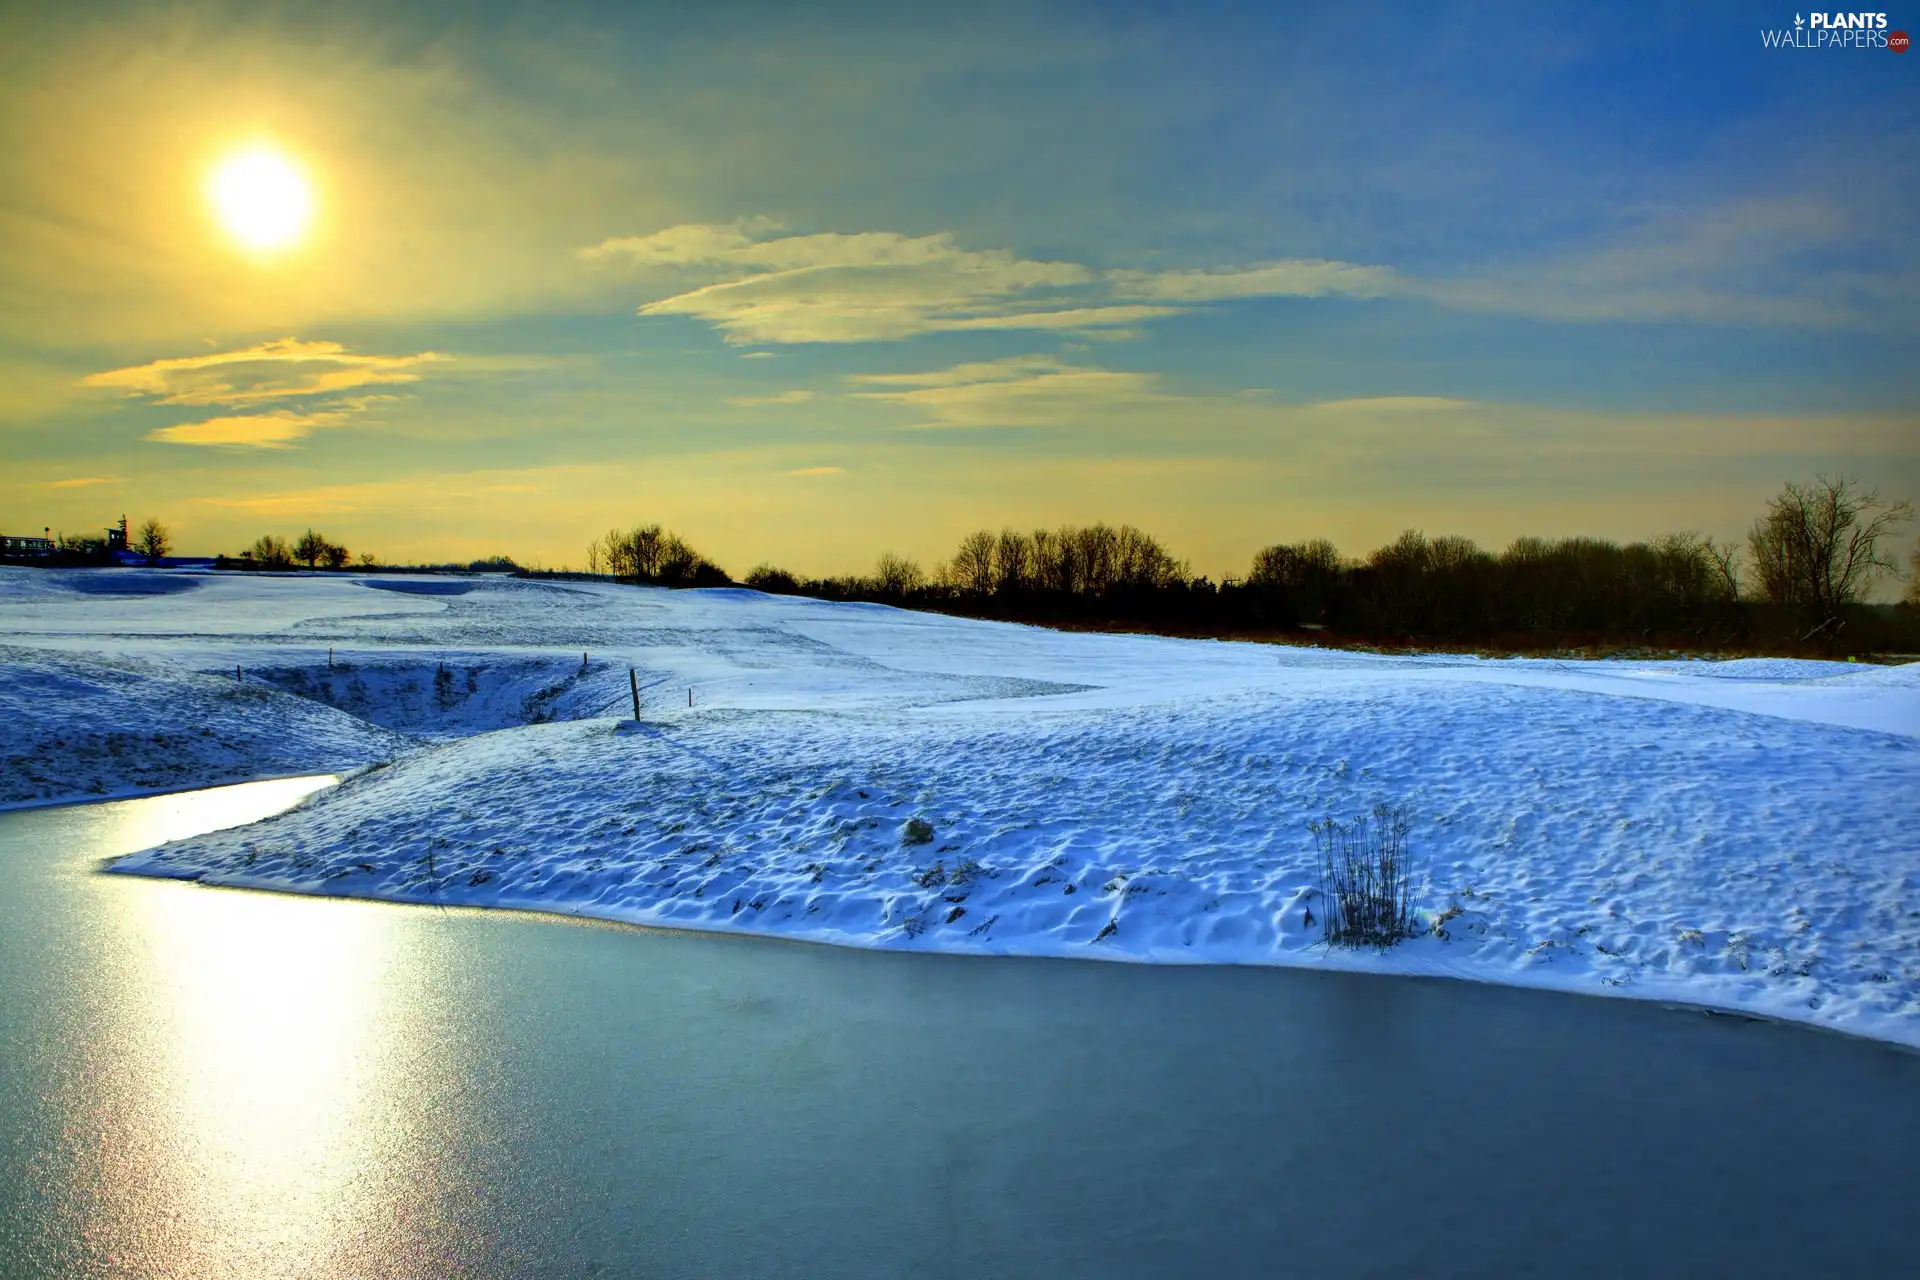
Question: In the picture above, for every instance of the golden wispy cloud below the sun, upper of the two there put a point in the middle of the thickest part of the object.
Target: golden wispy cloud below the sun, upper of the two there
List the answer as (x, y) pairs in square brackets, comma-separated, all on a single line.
[(264, 373)]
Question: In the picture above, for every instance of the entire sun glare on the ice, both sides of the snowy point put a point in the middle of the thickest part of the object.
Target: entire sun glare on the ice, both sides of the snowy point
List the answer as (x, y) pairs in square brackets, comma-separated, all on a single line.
[(251, 1097)]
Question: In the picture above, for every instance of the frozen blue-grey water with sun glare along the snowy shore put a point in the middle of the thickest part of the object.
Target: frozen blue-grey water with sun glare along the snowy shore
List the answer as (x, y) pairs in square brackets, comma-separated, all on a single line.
[(222, 1083)]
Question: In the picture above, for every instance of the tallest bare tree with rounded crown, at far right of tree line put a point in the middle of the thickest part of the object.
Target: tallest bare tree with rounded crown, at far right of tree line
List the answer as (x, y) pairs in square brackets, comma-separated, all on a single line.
[(1819, 544)]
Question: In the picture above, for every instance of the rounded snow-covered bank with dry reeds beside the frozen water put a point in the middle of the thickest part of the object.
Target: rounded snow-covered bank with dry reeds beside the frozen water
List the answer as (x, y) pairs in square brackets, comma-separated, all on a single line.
[(1631, 849)]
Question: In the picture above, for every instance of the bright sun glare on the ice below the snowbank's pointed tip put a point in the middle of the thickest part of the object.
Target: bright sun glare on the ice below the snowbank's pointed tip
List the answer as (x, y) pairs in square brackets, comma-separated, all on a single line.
[(272, 1072)]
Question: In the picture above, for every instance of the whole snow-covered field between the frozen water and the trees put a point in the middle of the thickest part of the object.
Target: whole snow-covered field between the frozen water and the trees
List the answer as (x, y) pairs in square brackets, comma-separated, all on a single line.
[(1737, 834)]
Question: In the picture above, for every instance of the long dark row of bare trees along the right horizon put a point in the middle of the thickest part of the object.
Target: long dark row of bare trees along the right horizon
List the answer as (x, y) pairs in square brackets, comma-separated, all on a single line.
[(1798, 581)]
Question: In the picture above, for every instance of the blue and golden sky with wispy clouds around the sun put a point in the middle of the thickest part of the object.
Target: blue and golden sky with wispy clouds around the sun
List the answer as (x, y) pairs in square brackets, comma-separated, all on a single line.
[(811, 285)]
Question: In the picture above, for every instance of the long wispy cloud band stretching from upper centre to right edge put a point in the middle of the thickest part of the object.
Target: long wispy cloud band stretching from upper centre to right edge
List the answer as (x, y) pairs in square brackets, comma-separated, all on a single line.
[(1719, 266)]
